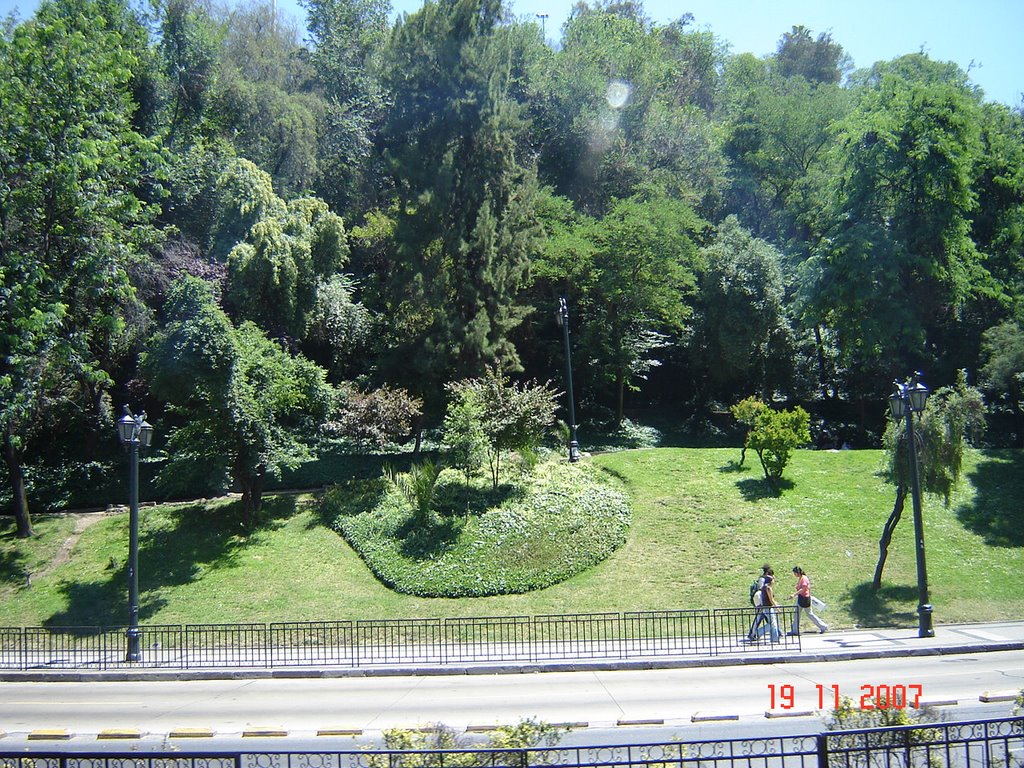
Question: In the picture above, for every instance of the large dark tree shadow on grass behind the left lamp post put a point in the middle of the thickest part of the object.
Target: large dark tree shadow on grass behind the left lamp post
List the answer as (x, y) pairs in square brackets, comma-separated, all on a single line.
[(198, 540)]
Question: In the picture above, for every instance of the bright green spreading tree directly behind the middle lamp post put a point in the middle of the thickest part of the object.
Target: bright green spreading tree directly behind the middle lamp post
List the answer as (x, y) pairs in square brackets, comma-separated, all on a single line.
[(631, 279)]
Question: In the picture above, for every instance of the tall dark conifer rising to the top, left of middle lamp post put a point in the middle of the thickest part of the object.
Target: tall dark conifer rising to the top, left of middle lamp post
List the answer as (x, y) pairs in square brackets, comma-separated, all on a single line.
[(465, 229)]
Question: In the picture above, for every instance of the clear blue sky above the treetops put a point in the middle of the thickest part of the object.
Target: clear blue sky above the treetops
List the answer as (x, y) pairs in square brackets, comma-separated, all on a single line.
[(985, 37)]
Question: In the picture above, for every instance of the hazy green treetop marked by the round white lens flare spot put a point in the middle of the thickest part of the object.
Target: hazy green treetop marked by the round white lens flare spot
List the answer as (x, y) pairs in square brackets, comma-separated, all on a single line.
[(624, 104)]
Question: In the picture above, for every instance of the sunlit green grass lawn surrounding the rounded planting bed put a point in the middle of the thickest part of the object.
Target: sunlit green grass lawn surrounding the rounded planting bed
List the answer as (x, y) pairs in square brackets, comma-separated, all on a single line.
[(702, 527)]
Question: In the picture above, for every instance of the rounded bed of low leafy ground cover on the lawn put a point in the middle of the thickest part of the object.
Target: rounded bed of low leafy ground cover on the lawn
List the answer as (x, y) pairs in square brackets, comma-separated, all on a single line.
[(547, 527)]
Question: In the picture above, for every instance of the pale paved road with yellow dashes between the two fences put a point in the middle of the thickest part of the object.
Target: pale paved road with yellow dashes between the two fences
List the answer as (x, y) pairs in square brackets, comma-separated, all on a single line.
[(58, 714)]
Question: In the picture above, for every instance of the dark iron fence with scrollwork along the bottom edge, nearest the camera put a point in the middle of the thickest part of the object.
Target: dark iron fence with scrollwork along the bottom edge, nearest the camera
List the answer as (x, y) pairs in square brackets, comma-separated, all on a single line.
[(990, 744)]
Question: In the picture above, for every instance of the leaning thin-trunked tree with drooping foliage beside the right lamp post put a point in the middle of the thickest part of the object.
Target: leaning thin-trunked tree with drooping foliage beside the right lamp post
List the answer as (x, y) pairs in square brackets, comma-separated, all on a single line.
[(953, 417)]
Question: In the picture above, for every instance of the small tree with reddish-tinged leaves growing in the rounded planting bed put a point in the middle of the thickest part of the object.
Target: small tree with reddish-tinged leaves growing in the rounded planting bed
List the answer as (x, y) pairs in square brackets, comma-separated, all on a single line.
[(515, 418)]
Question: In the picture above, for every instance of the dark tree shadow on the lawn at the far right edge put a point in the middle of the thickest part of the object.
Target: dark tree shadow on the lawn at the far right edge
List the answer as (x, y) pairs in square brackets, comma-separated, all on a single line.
[(996, 513)]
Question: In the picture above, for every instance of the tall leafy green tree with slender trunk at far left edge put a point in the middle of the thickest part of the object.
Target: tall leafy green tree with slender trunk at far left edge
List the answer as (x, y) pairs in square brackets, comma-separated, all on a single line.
[(72, 221)]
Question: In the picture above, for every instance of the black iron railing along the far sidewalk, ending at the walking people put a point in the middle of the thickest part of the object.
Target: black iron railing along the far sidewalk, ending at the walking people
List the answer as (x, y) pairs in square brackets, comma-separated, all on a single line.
[(411, 642)]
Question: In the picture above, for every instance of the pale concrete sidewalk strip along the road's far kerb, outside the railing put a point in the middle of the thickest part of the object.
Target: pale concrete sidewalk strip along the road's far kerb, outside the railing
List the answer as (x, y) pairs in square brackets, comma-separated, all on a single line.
[(834, 646)]
